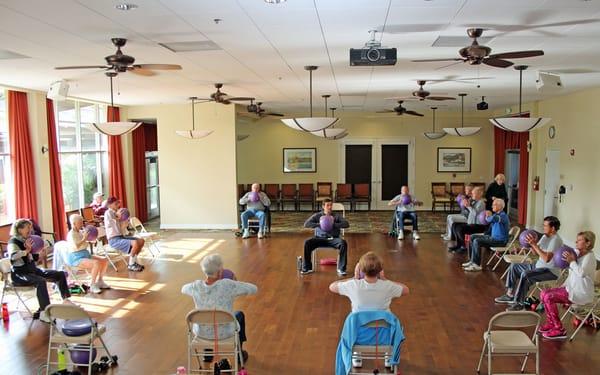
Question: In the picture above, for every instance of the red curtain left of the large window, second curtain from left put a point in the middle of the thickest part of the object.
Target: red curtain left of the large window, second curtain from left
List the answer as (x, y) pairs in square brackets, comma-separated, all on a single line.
[(58, 204)]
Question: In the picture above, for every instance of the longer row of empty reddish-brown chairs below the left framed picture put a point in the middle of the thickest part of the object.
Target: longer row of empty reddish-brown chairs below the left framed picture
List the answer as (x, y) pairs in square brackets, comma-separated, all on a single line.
[(306, 194)]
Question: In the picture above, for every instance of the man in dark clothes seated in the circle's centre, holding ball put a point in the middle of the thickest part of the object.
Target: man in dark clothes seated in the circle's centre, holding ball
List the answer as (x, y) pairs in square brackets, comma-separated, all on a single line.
[(327, 225)]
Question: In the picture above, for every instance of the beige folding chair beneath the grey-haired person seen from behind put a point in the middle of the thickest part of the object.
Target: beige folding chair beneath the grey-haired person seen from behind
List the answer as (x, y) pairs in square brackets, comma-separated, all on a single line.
[(229, 347)]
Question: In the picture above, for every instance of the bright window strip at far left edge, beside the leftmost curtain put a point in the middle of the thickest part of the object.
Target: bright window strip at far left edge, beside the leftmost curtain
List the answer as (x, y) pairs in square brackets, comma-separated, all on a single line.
[(6, 186)]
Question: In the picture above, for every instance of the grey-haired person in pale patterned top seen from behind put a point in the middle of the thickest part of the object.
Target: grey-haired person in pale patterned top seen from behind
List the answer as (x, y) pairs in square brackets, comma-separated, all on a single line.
[(217, 292)]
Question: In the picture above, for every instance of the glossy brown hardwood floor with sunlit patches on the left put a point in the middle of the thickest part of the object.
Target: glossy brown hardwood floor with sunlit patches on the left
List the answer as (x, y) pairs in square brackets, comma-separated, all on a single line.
[(294, 322)]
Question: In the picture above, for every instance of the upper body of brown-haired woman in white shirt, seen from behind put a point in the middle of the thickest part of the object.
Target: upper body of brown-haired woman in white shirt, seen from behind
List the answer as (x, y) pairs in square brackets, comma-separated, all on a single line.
[(374, 291)]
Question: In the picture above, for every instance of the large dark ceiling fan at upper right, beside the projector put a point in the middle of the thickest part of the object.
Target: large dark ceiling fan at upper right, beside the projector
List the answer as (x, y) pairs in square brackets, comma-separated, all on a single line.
[(476, 54)]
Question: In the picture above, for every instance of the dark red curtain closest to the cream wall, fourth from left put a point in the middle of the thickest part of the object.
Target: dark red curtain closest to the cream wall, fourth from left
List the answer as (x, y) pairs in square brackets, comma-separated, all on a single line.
[(139, 172)]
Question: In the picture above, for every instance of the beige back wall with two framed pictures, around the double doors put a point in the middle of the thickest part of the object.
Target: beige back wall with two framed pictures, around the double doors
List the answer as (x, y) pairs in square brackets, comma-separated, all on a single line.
[(260, 156)]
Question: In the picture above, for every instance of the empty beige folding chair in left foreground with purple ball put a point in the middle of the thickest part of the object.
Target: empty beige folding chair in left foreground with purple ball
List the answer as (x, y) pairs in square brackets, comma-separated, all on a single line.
[(87, 342)]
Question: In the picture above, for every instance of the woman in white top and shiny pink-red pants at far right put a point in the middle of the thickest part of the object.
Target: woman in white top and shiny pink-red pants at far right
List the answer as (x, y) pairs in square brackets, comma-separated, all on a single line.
[(577, 289)]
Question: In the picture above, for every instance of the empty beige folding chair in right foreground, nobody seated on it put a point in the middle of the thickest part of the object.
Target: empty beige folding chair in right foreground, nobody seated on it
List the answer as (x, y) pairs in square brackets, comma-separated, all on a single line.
[(511, 342)]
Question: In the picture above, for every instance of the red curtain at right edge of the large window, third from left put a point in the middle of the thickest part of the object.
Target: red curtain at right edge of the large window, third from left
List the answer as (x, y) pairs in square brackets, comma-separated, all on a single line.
[(115, 161)]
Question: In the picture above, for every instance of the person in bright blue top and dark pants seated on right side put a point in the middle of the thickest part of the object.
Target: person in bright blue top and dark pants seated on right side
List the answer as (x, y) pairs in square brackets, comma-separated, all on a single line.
[(499, 226)]
